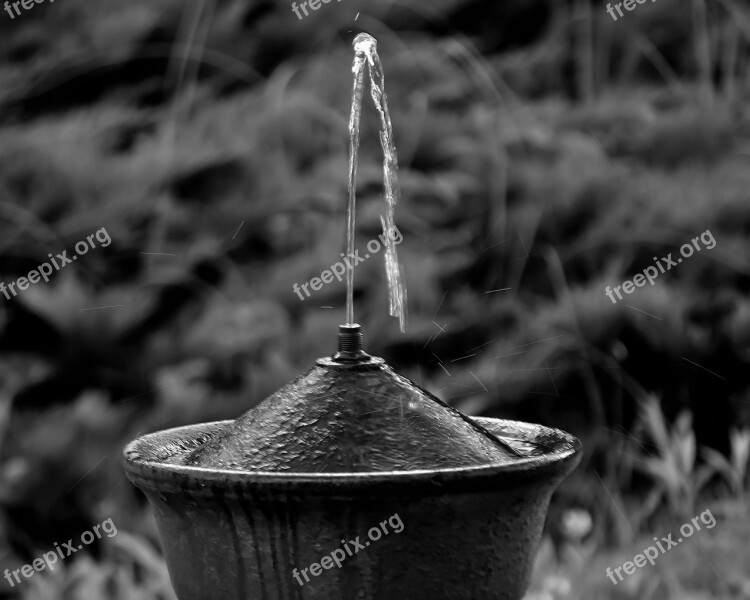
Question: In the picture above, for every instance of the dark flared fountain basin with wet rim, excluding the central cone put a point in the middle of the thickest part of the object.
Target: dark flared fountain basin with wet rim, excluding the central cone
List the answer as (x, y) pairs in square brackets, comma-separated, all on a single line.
[(469, 533)]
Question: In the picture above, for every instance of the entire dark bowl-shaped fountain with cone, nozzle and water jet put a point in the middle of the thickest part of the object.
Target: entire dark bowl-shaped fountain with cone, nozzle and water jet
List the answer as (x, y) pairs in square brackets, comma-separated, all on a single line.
[(281, 503)]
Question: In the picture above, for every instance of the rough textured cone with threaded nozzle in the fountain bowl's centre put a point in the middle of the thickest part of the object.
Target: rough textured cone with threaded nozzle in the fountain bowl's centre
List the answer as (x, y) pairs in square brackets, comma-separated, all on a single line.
[(350, 413)]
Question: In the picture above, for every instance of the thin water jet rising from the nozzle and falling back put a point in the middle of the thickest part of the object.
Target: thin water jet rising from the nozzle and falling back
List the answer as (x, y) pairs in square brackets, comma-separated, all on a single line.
[(366, 56)]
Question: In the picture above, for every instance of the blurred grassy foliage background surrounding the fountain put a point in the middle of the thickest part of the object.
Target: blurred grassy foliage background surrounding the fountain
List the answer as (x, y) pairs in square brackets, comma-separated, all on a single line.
[(545, 150)]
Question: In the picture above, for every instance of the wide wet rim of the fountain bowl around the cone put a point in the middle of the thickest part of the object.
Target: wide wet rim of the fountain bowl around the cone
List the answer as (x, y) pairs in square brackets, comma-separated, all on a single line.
[(161, 476)]
